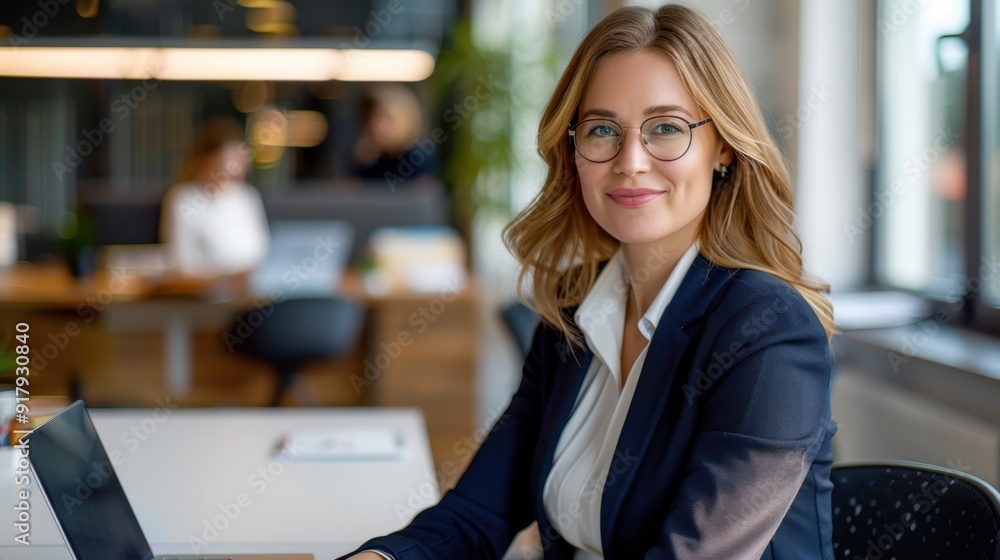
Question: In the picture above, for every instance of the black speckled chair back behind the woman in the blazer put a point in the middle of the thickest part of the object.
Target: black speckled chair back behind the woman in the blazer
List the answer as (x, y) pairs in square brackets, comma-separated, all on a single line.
[(902, 510)]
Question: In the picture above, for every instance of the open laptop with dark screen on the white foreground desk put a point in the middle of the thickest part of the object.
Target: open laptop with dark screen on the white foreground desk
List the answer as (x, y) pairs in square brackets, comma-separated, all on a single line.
[(96, 520)]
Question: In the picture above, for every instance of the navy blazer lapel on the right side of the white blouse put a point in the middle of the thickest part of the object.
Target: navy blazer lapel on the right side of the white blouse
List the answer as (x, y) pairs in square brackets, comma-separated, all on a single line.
[(659, 371)]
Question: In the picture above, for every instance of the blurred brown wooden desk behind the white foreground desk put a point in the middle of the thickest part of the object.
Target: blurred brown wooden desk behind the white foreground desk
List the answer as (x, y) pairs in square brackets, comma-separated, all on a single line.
[(126, 346)]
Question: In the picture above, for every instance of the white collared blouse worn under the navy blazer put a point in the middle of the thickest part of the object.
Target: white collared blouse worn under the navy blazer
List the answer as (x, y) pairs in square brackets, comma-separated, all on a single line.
[(574, 488)]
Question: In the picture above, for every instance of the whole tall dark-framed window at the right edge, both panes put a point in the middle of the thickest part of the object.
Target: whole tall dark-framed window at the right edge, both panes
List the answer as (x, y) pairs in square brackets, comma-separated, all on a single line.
[(937, 188)]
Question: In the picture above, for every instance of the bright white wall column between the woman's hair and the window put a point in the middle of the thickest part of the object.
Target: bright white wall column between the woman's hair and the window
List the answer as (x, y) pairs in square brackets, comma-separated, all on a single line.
[(831, 185)]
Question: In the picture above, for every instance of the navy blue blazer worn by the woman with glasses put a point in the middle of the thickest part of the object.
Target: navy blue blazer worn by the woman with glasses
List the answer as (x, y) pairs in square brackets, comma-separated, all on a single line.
[(725, 452)]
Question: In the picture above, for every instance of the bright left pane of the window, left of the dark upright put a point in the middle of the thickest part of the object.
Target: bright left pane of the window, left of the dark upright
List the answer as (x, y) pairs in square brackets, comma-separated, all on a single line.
[(921, 179)]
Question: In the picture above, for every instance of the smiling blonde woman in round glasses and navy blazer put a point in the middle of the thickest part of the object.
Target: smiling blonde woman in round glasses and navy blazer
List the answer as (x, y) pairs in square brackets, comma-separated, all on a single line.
[(675, 402)]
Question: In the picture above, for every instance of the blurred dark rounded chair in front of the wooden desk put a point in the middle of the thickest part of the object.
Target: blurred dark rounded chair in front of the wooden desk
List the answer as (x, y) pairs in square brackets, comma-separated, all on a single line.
[(296, 331)]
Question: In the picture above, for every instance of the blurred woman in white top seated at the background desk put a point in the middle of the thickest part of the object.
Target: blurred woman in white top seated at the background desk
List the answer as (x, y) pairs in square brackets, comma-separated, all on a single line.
[(213, 222)]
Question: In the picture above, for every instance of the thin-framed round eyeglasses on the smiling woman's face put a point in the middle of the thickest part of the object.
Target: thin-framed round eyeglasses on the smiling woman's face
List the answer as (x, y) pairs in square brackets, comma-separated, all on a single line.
[(665, 138)]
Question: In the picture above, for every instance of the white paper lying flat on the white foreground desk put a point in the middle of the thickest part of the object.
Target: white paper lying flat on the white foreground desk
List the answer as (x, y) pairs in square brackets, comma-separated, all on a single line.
[(346, 444)]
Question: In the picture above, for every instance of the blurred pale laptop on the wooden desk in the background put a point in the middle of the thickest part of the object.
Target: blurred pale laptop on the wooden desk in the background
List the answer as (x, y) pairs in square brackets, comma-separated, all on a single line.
[(307, 258)]
